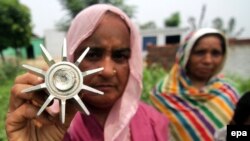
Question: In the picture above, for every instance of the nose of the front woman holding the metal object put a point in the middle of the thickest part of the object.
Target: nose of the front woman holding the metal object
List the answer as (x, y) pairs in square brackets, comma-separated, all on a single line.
[(109, 67)]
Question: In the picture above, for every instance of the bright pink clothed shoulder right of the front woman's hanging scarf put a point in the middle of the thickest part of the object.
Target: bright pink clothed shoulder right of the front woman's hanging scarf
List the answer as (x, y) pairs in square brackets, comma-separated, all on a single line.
[(154, 124)]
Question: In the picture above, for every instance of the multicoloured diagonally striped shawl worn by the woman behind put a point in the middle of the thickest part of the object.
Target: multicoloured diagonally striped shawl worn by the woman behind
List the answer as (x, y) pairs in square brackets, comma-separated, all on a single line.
[(194, 113)]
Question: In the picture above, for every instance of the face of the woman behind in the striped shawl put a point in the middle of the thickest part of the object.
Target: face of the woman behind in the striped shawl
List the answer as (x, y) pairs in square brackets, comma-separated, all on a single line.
[(205, 58)]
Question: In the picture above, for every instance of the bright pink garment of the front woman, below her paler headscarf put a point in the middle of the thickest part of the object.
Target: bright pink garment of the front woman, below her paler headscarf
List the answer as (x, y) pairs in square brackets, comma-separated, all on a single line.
[(146, 125)]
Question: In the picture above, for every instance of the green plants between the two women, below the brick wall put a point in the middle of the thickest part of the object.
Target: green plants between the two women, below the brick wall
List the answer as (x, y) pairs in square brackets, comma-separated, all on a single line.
[(151, 75)]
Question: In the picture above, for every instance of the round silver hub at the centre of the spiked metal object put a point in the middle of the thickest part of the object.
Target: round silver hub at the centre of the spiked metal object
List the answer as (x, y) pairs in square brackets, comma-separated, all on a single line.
[(64, 80)]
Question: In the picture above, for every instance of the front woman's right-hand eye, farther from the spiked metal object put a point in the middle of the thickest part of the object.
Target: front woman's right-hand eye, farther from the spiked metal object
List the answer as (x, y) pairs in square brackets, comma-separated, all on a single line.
[(121, 55)]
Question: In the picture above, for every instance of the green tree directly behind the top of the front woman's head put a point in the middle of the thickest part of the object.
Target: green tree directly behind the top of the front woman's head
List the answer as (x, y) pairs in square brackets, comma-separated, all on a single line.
[(75, 6)]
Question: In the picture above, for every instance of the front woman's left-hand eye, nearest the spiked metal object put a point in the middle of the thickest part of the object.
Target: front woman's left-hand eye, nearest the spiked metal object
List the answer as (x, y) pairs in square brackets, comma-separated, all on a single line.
[(94, 54)]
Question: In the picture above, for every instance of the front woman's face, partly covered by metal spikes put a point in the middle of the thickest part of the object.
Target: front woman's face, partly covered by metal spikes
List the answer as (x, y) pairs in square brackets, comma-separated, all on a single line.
[(110, 49)]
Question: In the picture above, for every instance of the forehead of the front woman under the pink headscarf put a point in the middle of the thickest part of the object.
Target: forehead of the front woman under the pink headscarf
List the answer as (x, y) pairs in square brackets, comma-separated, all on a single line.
[(111, 33)]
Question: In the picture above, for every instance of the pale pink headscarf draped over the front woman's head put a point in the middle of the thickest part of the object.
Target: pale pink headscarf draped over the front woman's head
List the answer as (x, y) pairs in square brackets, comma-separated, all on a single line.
[(117, 124)]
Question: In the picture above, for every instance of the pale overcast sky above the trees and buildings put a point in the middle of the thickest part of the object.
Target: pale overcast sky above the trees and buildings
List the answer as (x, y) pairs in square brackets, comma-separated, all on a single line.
[(45, 13)]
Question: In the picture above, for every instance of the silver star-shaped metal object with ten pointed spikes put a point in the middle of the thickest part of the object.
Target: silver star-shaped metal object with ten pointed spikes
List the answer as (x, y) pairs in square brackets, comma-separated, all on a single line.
[(63, 80)]
